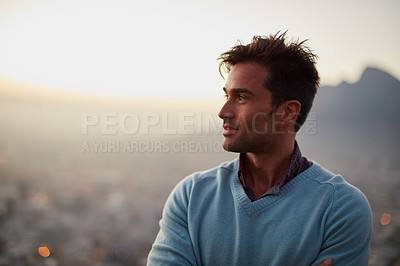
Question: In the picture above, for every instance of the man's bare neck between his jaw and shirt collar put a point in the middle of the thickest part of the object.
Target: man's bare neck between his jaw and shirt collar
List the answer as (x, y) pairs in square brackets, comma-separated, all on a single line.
[(265, 170)]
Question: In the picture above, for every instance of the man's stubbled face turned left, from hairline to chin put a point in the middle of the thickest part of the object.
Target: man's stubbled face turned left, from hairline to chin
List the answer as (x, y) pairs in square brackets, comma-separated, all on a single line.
[(247, 113)]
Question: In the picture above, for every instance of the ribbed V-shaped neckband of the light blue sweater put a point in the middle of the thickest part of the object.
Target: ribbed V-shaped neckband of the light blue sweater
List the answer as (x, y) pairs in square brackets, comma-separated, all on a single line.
[(258, 206)]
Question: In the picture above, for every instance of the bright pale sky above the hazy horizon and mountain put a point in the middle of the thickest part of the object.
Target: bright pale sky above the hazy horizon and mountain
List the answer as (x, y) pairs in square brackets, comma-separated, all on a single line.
[(169, 48)]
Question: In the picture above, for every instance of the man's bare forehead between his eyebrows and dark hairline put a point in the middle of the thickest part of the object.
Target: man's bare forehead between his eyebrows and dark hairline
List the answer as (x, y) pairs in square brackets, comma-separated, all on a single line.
[(246, 75)]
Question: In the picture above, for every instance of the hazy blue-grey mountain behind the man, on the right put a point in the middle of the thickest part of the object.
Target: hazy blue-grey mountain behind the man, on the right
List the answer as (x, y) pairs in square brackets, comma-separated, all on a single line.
[(360, 118)]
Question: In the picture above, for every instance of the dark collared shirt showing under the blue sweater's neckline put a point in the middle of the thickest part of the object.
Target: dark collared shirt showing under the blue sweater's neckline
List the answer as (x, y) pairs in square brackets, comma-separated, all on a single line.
[(298, 164)]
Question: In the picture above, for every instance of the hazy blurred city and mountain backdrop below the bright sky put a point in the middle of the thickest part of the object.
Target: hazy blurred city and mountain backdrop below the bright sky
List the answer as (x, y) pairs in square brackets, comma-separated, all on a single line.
[(76, 192)]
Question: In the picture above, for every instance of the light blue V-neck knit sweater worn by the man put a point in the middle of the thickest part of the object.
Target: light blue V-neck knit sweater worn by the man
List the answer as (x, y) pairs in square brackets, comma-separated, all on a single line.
[(209, 220)]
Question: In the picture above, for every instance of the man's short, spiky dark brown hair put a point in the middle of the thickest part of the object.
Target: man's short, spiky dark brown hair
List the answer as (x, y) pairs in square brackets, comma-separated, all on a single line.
[(292, 74)]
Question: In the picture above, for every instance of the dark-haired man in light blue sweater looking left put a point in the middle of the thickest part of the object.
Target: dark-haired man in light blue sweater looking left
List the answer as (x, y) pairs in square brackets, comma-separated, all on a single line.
[(270, 206)]
